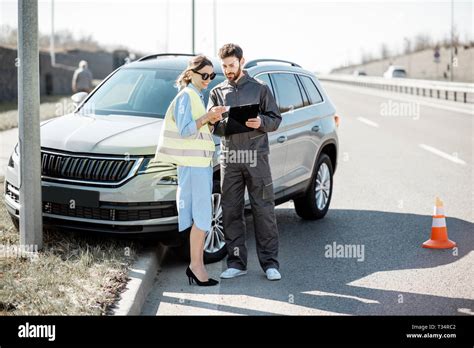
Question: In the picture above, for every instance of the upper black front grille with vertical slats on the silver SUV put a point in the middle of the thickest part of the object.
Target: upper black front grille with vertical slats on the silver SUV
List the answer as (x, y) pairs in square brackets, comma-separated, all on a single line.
[(83, 168)]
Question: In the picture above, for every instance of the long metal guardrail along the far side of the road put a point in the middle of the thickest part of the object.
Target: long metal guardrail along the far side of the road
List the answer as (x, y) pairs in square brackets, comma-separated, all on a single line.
[(456, 91)]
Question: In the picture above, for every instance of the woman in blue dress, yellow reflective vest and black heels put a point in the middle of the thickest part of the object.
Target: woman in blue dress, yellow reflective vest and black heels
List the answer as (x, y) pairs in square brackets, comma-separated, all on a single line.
[(186, 141)]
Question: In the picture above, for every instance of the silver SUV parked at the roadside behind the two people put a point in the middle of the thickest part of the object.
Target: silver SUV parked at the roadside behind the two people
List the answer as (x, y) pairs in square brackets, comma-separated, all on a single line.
[(96, 163)]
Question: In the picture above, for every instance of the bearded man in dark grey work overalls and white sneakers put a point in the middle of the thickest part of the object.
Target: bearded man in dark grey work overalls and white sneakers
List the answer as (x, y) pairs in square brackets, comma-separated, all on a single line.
[(241, 89)]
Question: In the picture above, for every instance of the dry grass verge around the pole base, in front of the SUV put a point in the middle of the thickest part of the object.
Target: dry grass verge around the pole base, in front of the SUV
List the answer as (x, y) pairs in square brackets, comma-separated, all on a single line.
[(74, 274)]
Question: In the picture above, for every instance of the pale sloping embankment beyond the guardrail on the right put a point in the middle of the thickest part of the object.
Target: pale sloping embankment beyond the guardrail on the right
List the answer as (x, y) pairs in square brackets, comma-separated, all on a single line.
[(421, 65)]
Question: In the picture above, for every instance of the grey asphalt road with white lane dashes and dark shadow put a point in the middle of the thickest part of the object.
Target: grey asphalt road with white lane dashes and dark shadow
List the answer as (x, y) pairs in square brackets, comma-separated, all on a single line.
[(391, 168)]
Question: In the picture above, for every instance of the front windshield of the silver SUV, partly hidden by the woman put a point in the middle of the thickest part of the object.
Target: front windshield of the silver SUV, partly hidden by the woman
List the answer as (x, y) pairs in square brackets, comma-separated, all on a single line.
[(137, 92)]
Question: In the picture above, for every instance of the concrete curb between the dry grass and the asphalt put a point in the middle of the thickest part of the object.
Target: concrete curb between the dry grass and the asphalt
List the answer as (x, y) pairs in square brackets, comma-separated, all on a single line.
[(142, 276)]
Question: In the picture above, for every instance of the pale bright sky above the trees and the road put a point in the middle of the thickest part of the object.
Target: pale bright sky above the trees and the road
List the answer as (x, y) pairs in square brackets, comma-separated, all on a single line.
[(319, 35)]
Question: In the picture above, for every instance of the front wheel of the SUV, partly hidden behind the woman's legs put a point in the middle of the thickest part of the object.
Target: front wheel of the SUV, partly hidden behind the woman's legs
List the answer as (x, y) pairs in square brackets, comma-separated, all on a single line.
[(215, 249)]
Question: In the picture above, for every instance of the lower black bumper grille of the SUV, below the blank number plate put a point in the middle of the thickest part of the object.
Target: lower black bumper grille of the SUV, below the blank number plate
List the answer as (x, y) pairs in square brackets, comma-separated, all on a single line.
[(115, 211)]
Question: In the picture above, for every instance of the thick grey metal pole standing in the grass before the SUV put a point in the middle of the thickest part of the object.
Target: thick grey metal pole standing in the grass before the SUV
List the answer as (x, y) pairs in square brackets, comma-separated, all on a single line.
[(31, 223)]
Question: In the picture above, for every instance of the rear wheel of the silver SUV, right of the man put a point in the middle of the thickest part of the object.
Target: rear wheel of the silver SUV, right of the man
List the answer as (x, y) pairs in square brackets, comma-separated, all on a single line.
[(315, 204)]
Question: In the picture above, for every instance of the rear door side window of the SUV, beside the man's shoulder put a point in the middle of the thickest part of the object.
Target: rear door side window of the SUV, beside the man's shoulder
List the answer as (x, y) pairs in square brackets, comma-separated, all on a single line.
[(288, 92)]
